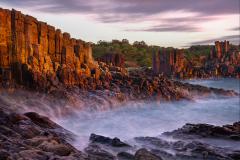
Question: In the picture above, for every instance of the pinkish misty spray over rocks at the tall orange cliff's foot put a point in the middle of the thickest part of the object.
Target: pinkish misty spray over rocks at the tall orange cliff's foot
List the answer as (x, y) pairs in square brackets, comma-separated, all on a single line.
[(59, 106)]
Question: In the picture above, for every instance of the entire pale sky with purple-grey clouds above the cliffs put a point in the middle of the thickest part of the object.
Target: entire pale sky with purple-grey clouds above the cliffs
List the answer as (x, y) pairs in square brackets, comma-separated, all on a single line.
[(174, 23)]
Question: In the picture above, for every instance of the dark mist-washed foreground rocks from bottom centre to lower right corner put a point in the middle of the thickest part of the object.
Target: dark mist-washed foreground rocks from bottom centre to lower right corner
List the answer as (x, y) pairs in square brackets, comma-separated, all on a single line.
[(188, 142)]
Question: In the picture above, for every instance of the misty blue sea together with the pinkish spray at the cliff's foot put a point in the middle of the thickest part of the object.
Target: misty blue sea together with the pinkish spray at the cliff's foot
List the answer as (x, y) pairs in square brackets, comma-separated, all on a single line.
[(84, 113)]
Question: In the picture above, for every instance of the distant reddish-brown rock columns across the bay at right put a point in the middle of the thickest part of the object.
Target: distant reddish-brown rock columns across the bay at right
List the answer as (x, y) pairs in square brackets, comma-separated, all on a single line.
[(222, 61)]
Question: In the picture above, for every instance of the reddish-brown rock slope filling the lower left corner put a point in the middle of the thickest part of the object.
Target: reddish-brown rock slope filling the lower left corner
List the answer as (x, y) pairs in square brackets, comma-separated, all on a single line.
[(32, 136)]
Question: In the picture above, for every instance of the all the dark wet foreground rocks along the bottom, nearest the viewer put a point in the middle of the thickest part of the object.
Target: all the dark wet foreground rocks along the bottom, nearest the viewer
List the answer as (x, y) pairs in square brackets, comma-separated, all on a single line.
[(31, 136)]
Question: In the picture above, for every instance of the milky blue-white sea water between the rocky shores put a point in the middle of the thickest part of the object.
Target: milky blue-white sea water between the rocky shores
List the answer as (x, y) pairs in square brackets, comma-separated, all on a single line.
[(153, 118)]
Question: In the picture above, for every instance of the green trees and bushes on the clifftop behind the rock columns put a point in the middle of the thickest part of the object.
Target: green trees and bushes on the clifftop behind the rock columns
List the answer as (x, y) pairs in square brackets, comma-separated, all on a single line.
[(139, 54)]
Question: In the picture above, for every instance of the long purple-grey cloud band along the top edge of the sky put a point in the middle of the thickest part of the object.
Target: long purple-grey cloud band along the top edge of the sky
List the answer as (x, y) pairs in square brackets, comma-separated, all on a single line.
[(130, 7)]
